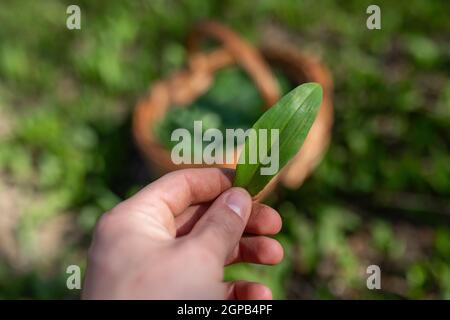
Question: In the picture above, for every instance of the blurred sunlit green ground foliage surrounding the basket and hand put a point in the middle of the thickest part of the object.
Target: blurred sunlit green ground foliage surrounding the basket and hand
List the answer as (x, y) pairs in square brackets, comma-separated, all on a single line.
[(380, 196)]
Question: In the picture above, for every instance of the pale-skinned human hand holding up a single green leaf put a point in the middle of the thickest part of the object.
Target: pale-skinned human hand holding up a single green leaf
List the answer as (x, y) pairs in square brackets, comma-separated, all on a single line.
[(173, 239)]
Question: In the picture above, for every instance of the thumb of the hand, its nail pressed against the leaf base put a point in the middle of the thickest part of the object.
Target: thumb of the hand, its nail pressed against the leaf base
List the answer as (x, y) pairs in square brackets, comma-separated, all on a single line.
[(222, 225)]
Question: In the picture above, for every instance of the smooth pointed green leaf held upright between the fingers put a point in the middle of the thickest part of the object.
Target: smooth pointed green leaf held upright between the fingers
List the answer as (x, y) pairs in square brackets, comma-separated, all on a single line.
[(293, 115)]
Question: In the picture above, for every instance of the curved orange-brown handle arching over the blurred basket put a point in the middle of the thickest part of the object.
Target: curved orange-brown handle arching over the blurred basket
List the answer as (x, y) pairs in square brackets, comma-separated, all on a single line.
[(235, 50)]
